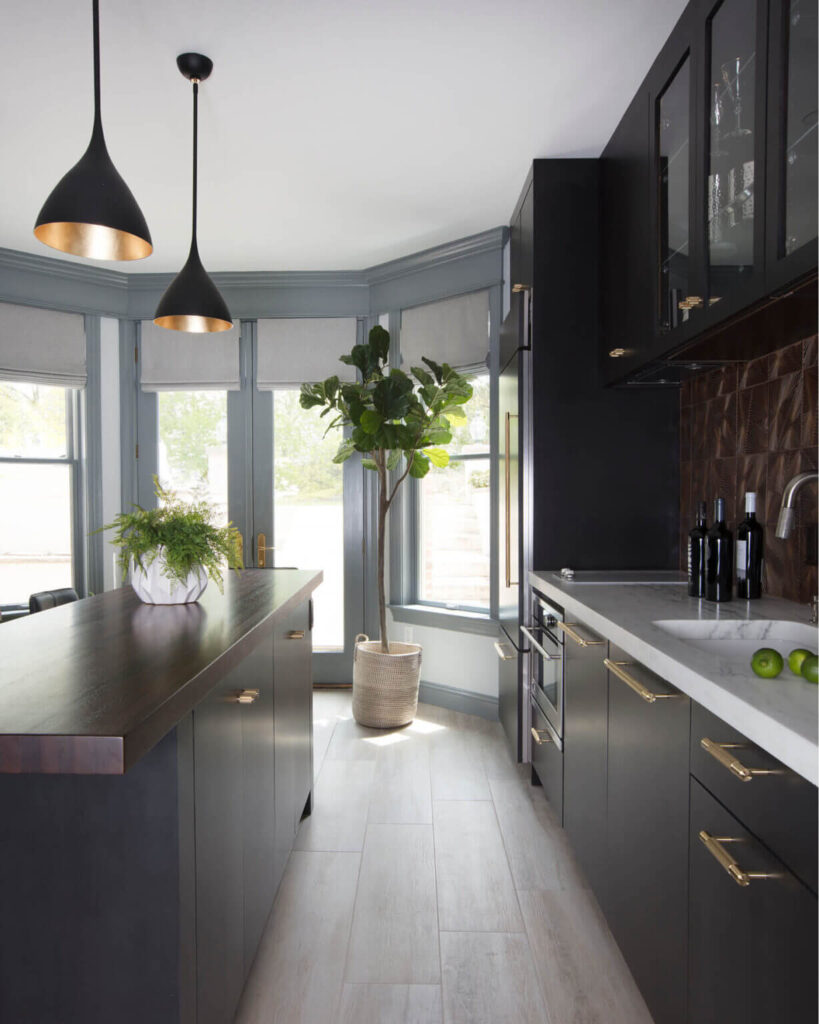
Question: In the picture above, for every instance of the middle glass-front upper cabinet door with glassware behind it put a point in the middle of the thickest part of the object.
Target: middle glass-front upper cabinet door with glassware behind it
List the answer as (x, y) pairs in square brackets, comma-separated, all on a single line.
[(735, 149)]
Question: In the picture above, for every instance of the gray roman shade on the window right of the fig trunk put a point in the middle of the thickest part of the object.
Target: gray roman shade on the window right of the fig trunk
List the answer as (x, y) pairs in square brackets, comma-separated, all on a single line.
[(454, 331)]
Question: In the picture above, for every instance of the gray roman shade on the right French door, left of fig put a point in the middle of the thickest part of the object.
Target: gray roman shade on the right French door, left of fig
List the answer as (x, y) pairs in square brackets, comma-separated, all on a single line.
[(304, 351)]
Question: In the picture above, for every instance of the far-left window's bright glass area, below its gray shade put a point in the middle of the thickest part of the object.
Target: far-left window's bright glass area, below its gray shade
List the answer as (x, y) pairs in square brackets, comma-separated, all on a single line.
[(38, 488)]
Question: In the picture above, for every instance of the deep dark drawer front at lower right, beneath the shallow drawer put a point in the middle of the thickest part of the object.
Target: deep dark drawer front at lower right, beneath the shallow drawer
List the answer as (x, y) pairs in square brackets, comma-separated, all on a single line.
[(753, 941)]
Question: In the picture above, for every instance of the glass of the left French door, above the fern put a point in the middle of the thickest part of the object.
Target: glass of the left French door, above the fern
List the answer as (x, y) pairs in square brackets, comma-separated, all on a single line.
[(193, 443)]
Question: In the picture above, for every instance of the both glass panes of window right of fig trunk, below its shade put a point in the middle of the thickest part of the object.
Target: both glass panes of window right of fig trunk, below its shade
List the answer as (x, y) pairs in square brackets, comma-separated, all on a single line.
[(454, 516)]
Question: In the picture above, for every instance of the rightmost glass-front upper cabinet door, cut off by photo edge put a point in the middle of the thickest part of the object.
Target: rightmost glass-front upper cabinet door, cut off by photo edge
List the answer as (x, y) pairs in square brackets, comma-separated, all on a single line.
[(793, 140)]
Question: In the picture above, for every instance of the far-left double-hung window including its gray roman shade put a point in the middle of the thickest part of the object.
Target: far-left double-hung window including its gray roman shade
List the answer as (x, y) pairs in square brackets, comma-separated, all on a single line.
[(42, 374)]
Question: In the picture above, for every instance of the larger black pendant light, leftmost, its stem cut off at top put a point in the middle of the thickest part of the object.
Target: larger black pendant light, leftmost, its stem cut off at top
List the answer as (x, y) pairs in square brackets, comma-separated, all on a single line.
[(92, 212)]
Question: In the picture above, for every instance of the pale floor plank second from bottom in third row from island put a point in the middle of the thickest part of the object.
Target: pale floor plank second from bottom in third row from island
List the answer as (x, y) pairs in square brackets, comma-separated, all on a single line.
[(476, 888)]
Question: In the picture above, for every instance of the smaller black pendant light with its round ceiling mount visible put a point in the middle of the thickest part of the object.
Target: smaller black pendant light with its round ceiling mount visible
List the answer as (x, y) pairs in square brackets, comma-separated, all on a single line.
[(193, 303)]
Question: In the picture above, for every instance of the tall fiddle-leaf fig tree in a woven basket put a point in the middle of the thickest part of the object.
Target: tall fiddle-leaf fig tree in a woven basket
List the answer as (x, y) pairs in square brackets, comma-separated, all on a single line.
[(400, 423)]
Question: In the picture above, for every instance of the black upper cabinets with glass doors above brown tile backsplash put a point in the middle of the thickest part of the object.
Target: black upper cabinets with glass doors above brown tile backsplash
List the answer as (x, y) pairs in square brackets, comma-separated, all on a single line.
[(728, 212)]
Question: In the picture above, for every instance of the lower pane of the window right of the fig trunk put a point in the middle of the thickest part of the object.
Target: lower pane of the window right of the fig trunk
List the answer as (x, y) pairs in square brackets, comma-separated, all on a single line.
[(455, 535)]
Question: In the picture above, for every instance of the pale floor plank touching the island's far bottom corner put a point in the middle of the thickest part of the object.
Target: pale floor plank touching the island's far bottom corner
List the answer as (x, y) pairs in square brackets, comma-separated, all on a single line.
[(341, 800)]
